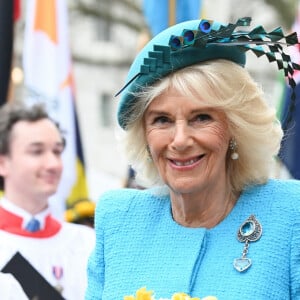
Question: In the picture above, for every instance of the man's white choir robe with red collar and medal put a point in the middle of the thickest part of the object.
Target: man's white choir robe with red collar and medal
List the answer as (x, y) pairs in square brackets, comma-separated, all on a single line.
[(61, 258)]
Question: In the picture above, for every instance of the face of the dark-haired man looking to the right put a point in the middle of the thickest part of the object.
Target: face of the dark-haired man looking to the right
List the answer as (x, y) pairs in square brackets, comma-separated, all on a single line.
[(33, 167)]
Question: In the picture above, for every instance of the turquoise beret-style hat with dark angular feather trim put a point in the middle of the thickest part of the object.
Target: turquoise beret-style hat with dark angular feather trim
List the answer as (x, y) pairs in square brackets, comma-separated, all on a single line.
[(195, 41)]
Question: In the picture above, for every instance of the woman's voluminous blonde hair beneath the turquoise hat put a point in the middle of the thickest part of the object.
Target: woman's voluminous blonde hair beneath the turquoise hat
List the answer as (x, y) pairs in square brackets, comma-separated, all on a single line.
[(228, 87)]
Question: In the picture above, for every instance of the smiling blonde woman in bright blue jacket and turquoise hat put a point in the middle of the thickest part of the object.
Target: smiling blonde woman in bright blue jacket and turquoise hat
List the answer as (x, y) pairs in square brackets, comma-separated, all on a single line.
[(197, 127)]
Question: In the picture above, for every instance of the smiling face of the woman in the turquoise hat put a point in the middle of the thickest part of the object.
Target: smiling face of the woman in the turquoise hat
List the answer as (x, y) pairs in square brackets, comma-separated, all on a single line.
[(188, 142)]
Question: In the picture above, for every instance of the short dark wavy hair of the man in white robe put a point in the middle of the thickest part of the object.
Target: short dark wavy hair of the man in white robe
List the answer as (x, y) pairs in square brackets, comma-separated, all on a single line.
[(14, 112)]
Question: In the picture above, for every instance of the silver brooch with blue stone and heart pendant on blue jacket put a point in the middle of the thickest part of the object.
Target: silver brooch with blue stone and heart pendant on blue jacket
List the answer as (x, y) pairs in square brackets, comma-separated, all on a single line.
[(249, 231)]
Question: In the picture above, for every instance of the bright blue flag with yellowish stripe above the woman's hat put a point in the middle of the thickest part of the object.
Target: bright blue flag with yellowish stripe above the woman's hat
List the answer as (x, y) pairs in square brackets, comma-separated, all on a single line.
[(161, 14)]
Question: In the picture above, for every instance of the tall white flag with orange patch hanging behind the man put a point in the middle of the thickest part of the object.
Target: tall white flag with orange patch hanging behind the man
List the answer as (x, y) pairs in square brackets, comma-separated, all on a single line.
[(48, 78)]
